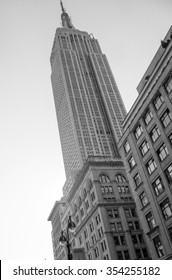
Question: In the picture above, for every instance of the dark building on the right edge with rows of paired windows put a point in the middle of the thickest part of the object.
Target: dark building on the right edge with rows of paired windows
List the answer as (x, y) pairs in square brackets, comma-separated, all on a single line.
[(146, 148)]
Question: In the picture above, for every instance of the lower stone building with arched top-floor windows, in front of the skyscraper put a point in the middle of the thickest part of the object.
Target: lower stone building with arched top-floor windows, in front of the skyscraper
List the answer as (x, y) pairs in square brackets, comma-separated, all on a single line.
[(102, 206)]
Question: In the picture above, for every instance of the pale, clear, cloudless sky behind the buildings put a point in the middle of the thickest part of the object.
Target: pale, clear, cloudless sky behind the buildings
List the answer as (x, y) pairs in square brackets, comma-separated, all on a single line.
[(31, 165)]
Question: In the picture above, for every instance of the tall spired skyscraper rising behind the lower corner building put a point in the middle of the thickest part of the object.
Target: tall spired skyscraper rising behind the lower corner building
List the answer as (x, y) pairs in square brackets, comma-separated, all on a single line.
[(89, 107)]
